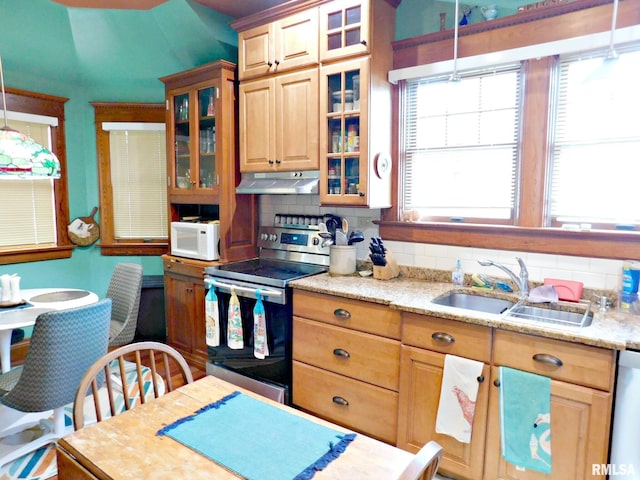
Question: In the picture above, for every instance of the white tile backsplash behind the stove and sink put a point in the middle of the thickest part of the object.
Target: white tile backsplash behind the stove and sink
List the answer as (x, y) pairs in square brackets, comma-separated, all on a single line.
[(595, 273)]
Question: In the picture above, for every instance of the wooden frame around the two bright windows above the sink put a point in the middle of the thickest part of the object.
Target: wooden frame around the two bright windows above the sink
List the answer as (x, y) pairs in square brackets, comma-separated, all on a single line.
[(528, 234)]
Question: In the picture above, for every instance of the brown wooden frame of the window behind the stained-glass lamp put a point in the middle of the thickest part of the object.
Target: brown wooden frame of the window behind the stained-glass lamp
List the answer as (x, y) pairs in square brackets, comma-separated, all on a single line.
[(52, 106)]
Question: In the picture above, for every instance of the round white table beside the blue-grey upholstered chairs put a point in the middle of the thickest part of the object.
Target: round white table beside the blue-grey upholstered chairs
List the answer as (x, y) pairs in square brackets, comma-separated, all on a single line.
[(35, 301)]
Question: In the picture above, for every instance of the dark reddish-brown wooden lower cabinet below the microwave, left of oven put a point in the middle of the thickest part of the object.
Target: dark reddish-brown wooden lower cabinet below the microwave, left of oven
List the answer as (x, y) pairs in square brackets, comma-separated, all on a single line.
[(184, 309)]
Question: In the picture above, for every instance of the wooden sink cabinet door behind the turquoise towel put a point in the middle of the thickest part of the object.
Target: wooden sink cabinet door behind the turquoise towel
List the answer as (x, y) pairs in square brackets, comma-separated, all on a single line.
[(580, 424)]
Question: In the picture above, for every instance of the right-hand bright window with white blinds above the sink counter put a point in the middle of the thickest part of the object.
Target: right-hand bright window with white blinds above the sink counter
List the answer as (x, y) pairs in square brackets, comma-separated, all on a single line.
[(596, 140)]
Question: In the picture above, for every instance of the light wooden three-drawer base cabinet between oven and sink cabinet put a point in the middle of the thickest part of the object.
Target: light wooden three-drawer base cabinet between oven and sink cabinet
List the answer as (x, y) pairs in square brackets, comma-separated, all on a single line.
[(346, 362)]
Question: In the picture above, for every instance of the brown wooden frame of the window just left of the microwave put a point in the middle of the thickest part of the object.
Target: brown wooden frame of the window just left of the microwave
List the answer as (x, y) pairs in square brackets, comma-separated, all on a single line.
[(121, 112)]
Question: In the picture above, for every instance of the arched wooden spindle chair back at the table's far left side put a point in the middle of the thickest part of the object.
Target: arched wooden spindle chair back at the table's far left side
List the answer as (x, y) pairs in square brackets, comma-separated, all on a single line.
[(126, 371)]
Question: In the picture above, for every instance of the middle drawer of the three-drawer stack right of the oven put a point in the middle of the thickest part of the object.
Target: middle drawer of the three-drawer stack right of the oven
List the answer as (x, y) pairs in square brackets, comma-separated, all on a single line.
[(355, 354)]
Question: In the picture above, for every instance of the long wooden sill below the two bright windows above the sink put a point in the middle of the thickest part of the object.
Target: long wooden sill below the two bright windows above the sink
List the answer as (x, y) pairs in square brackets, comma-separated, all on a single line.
[(597, 244)]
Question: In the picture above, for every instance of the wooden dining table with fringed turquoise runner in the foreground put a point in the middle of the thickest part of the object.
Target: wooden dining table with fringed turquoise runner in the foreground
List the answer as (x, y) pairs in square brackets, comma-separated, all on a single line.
[(260, 435)]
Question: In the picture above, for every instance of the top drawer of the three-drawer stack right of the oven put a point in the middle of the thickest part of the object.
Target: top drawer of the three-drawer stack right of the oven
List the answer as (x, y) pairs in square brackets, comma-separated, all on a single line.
[(348, 313)]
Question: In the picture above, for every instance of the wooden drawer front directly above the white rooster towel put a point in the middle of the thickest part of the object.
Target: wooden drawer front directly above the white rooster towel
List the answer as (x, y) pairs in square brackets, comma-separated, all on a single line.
[(447, 336)]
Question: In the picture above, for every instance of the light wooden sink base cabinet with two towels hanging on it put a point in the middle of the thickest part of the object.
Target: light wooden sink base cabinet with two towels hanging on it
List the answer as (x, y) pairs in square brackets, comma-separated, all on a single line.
[(580, 413)]
